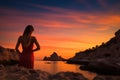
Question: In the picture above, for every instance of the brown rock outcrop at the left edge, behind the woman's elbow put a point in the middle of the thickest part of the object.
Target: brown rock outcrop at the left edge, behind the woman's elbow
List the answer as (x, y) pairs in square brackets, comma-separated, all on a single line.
[(8, 56)]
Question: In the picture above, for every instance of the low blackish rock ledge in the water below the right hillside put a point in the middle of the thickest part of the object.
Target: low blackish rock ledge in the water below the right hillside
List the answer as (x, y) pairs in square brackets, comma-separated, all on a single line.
[(103, 67)]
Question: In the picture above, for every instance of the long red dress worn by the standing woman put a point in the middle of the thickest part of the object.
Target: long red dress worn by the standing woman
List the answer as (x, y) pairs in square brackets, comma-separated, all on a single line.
[(27, 57)]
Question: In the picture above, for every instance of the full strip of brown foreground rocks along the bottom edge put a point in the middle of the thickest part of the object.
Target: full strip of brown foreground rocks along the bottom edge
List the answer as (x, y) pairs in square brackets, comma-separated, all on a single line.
[(19, 73)]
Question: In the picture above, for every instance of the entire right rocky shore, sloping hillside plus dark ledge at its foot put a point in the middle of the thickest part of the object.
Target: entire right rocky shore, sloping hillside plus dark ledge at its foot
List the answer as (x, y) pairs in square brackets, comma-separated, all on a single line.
[(103, 59)]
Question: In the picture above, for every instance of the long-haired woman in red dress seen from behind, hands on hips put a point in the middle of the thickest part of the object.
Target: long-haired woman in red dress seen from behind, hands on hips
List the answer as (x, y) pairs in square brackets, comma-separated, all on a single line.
[(27, 41)]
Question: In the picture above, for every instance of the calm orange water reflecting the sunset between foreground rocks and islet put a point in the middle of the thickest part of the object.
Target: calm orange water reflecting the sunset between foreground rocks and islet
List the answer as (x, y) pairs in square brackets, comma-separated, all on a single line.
[(58, 66)]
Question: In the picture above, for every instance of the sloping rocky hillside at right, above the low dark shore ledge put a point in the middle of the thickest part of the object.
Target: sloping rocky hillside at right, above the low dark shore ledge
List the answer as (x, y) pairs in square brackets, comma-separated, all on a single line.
[(110, 49)]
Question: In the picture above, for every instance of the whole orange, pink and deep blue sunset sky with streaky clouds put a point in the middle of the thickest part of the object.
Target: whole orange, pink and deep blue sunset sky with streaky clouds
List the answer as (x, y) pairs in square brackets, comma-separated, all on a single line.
[(62, 26)]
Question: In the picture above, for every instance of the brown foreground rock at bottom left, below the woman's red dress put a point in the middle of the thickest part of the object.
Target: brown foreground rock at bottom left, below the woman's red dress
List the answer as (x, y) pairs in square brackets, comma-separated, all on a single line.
[(19, 73)]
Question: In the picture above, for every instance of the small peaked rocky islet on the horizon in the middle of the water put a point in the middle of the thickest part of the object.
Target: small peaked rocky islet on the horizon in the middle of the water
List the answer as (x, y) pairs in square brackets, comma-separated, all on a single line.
[(54, 57)]
